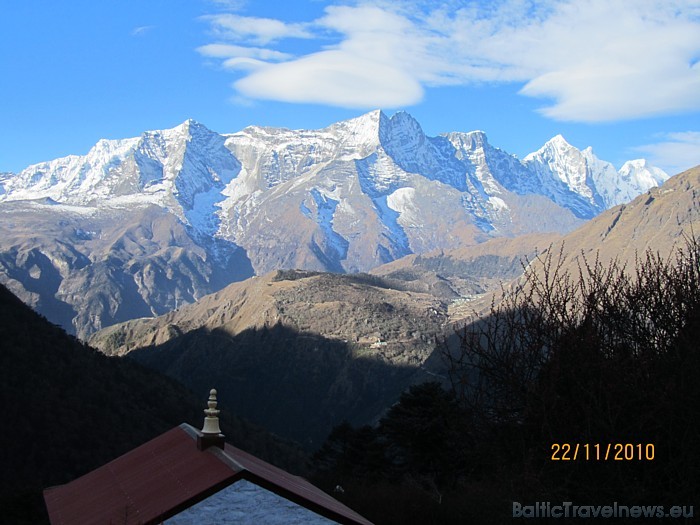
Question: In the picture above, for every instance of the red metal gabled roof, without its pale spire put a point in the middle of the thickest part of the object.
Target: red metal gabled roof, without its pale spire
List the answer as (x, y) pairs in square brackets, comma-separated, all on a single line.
[(168, 474)]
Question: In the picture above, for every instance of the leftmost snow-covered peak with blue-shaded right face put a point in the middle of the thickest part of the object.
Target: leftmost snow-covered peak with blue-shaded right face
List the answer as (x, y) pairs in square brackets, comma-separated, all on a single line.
[(168, 168)]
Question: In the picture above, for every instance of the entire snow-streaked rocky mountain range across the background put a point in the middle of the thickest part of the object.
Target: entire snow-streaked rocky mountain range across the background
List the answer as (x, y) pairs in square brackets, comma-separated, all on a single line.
[(140, 226)]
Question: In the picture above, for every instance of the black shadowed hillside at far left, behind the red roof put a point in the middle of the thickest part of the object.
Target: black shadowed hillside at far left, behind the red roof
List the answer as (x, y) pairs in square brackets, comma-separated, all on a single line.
[(67, 409)]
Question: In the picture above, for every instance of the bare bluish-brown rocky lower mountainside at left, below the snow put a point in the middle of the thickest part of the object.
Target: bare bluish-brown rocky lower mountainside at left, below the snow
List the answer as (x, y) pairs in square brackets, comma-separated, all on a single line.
[(86, 269)]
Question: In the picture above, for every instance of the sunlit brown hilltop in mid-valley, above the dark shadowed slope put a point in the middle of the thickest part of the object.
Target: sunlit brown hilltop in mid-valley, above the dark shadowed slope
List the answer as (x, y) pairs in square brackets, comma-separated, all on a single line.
[(361, 310)]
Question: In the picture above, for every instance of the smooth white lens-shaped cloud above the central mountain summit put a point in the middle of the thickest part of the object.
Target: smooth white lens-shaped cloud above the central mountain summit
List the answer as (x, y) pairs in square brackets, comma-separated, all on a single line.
[(370, 67)]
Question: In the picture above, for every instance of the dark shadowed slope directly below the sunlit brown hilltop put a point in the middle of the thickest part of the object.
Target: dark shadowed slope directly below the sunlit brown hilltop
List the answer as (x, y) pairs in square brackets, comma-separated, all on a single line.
[(297, 385)]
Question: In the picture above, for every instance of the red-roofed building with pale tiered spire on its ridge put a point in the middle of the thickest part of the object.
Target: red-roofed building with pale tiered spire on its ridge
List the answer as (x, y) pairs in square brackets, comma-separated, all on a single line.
[(188, 476)]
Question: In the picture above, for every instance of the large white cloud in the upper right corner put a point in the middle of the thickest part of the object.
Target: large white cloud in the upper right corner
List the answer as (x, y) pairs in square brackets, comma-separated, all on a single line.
[(622, 60)]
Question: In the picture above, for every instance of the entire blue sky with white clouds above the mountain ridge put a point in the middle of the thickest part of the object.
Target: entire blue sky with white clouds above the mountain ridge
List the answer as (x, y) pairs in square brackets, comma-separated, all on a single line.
[(620, 76)]
